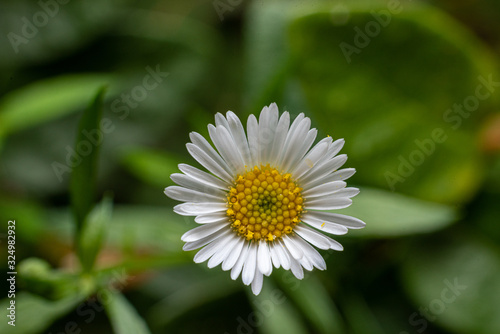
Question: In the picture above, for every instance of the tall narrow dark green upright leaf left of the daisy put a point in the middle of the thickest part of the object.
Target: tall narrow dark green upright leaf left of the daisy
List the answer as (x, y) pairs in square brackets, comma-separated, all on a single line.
[(82, 187)]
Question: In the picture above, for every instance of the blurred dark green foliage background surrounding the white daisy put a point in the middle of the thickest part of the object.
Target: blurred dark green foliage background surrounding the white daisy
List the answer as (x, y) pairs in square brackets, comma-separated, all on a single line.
[(413, 87)]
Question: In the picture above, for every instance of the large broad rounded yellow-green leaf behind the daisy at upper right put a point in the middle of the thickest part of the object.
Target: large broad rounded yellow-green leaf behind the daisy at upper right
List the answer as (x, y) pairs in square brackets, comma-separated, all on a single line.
[(383, 97)]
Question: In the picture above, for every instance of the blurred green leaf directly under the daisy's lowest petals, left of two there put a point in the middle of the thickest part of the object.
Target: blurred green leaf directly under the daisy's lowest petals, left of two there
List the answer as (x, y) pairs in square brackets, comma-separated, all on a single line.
[(274, 312)]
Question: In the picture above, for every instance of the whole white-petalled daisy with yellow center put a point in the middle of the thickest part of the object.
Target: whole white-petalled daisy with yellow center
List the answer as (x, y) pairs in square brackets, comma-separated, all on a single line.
[(266, 198)]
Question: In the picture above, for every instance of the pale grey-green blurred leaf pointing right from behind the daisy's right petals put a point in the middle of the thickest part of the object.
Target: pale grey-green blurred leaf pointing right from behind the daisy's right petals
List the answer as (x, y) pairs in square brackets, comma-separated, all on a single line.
[(389, 214)]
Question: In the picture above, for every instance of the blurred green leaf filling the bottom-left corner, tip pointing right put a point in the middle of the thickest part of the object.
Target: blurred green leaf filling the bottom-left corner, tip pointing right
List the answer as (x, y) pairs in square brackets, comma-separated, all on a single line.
[(34, 314)]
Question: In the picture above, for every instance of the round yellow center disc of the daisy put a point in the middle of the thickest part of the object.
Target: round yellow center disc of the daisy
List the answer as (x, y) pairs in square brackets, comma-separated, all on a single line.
[(264, 204)]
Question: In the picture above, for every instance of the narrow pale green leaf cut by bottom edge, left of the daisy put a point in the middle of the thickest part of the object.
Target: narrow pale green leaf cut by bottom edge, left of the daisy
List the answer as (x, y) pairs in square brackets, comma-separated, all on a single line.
[(124, 318)]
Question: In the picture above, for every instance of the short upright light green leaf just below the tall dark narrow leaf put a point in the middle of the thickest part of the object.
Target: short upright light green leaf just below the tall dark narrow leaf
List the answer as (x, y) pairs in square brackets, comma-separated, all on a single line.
[(93, 233)]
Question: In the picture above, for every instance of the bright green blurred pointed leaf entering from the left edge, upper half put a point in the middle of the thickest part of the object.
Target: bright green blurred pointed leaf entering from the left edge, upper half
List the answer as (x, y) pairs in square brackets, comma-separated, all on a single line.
[(47, 99)]
